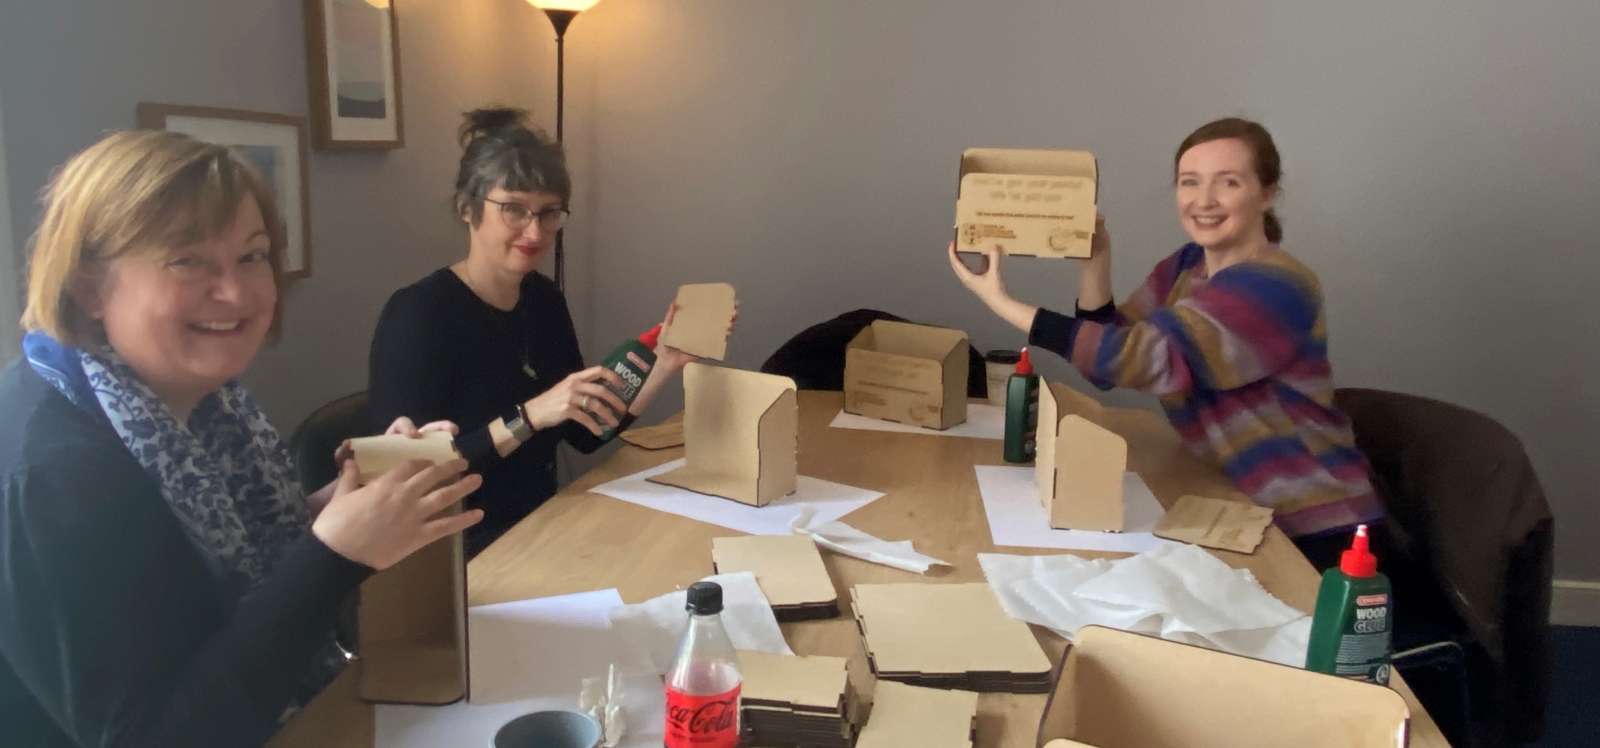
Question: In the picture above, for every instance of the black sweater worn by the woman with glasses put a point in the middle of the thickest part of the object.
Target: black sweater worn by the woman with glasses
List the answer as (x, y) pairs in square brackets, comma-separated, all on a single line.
[(442, 354)]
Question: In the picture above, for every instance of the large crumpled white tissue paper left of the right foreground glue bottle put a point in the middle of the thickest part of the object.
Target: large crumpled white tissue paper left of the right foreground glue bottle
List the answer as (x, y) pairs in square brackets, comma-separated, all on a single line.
[(1177, 592)]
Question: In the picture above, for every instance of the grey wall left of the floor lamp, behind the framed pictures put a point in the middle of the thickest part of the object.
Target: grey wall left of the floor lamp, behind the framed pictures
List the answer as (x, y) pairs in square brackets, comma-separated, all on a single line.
[(74, 70)]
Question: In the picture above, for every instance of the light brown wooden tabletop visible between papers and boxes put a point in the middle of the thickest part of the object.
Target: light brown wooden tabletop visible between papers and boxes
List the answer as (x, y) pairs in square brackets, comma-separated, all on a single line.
[(582, 541)]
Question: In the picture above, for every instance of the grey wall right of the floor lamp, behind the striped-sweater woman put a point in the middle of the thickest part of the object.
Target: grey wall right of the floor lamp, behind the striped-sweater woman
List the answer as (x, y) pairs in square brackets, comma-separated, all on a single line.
[(1442, 173)]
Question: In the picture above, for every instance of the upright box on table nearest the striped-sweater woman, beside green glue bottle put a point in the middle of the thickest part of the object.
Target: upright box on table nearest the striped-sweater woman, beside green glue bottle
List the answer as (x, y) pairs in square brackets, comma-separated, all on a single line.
[(1079, 464)]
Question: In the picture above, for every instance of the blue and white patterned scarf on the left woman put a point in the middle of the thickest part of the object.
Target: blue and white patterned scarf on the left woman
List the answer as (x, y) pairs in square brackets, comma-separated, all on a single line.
[(226, 475)]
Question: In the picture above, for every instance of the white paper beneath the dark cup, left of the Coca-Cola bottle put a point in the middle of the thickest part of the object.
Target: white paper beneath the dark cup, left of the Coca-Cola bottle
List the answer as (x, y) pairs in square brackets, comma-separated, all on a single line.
[(529, 656)]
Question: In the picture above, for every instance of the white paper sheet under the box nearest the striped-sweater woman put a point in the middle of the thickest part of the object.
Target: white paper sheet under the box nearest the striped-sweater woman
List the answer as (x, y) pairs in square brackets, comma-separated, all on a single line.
[(1017, 517)]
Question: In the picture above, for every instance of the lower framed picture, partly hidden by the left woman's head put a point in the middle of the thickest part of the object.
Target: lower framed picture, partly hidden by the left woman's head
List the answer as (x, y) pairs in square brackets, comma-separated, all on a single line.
[(276, 145)]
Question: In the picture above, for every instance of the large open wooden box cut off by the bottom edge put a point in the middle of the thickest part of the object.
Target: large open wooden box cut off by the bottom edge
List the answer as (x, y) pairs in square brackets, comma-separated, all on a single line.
[(1119, 690)]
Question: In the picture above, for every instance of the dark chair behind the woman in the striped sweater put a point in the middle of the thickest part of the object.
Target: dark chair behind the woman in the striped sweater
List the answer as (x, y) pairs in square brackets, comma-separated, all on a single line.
[(1473, 576)]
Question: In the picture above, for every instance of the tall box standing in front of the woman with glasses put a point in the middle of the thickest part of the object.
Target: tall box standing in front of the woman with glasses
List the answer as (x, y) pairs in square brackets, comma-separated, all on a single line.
[(740, 436)]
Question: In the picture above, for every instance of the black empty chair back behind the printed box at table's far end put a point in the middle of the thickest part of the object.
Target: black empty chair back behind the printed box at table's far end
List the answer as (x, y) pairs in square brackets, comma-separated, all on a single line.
[(815, 357)]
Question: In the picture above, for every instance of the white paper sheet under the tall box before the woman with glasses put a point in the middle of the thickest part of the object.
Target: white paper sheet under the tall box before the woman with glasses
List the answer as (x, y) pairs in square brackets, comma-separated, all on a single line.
[(831, 501)]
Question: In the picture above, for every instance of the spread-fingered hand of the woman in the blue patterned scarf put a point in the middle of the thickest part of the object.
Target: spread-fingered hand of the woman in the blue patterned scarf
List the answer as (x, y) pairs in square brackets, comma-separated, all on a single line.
[(388, 520)]
